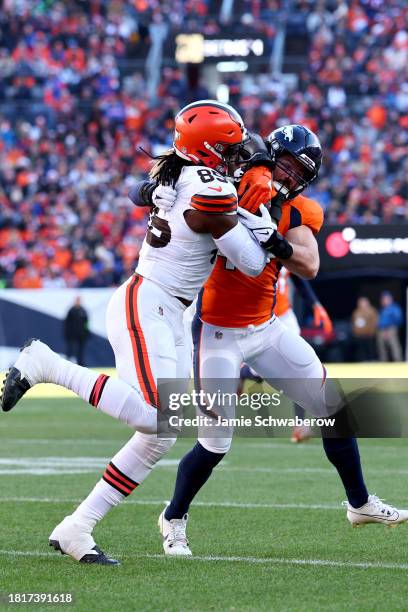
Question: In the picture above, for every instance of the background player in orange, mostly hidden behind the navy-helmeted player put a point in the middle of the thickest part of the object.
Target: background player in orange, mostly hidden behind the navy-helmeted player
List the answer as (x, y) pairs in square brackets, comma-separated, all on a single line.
[(284, 310)]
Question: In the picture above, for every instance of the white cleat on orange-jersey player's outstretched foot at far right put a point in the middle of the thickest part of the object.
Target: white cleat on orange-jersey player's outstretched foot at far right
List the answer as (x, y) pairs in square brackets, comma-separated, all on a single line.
[(375, 511)]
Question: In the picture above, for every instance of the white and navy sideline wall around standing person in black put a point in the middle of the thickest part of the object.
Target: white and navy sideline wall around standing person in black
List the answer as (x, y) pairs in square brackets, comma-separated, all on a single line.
[(40, 313)]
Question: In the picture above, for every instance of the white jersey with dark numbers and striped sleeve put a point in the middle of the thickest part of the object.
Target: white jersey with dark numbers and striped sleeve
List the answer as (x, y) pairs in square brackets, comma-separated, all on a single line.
[(174, 256)]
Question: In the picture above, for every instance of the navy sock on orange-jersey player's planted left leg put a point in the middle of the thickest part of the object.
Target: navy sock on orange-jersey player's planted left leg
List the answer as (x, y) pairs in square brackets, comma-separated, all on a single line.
[(193, 472)]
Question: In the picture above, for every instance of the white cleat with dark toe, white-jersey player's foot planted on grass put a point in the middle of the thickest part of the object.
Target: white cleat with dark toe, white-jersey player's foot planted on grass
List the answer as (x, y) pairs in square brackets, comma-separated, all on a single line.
[(75, 540)]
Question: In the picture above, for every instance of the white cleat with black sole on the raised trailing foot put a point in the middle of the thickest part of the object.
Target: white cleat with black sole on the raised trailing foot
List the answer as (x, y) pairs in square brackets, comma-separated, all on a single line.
[(35, 359)]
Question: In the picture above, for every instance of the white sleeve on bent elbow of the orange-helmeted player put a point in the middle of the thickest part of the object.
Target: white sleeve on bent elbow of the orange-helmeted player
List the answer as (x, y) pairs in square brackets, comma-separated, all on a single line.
[(243, 251)]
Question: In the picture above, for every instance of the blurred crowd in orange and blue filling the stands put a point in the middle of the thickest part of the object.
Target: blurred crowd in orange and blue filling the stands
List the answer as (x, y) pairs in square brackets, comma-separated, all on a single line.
[(72, 119)]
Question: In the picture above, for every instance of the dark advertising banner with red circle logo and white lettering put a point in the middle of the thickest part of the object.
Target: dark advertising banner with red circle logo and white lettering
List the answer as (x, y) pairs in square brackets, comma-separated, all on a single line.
[(344, 247)]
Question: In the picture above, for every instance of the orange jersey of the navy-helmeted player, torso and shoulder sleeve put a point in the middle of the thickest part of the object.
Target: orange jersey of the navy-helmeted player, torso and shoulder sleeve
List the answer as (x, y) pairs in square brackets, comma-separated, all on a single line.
[(232, 299)]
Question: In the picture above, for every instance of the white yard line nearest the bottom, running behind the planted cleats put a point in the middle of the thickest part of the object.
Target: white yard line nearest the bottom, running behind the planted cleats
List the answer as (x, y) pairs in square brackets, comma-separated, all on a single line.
[(233, 559)]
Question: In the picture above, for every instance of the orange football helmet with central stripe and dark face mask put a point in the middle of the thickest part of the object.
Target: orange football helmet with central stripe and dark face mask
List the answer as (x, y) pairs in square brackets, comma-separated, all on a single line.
[(208, 133)]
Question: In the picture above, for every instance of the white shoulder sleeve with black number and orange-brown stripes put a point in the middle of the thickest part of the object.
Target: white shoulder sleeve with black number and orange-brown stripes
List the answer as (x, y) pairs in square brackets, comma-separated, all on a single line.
[(215, 196)]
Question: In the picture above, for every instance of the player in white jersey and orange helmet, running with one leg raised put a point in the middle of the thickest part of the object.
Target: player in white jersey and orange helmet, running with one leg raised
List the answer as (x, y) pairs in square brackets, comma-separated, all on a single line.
[(145, 314)]
